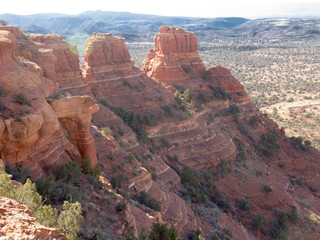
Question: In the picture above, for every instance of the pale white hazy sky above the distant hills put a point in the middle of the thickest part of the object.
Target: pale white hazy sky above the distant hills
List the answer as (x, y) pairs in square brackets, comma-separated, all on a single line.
[(195, 8)]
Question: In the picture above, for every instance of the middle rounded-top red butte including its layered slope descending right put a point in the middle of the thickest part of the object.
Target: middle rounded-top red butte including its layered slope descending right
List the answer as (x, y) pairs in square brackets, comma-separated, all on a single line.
[(112, 76)]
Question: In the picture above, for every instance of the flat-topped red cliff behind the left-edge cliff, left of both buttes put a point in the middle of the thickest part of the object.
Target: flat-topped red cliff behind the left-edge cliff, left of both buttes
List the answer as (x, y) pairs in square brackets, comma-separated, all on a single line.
[(58, 60)]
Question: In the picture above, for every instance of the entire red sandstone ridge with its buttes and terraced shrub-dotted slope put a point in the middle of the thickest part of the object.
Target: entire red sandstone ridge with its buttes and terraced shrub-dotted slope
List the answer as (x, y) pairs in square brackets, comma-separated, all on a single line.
[(212, 141)]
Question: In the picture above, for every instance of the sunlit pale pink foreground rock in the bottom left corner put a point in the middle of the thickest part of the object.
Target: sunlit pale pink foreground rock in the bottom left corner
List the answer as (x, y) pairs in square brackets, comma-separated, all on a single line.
[(16, 222)]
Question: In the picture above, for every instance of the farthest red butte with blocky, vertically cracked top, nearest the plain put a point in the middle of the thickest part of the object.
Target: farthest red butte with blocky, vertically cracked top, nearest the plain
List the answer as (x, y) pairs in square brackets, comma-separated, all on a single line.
[(175, 57)]
